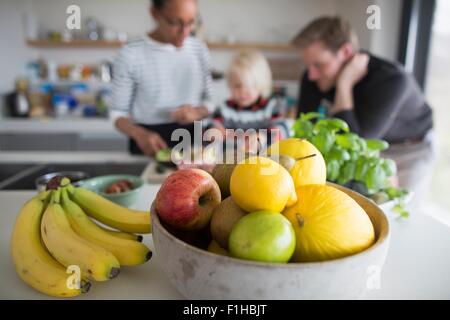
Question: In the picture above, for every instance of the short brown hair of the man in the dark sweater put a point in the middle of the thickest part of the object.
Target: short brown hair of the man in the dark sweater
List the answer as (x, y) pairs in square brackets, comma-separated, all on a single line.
[(333, 32)]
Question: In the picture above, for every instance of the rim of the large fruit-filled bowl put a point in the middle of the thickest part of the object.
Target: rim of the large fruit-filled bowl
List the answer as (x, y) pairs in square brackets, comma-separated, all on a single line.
[(382, 238)]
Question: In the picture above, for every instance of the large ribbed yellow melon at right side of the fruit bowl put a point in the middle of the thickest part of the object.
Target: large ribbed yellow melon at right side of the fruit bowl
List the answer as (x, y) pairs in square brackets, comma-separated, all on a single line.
[(328, 224)]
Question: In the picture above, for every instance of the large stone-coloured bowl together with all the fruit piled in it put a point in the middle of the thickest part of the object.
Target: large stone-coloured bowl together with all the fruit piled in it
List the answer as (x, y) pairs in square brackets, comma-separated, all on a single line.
[(267, 228)]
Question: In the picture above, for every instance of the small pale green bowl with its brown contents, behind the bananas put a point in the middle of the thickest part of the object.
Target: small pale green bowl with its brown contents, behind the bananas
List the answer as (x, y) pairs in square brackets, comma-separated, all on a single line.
[(122, 189)]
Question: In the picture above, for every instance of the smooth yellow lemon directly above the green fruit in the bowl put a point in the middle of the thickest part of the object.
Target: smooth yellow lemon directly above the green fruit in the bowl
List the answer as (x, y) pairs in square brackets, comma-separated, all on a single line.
[(259, 183)]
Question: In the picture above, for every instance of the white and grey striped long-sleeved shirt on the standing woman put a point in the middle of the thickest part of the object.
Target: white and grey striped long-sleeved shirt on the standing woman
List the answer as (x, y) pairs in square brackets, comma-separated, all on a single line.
[(152, 79)]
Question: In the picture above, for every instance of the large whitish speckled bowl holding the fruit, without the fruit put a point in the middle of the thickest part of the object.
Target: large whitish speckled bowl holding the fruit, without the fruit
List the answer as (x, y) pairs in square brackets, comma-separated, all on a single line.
[(199, 274)]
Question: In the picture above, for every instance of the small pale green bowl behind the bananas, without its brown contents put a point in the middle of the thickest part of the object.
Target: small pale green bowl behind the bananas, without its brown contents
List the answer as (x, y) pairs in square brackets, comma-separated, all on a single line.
[(100, 184)]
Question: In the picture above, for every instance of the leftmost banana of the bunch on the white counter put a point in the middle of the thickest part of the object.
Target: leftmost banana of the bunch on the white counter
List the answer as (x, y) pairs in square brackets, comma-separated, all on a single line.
[(33, 263)]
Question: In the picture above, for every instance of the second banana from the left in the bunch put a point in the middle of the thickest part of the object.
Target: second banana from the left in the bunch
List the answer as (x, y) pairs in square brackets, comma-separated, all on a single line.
[(70, 249)]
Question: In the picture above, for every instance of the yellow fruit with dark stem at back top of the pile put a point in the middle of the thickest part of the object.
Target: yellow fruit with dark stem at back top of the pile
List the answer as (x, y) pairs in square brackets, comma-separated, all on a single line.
[(309, 168)]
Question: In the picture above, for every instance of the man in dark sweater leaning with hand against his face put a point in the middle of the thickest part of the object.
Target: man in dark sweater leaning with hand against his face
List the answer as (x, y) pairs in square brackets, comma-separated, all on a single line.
[(374, 96)]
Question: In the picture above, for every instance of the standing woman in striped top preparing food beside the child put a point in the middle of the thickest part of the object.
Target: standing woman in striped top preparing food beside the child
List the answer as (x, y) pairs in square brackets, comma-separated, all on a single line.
[(162, 82)]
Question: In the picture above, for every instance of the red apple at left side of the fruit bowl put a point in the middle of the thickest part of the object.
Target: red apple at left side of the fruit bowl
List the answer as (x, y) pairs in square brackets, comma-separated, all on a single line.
[(187, 199)]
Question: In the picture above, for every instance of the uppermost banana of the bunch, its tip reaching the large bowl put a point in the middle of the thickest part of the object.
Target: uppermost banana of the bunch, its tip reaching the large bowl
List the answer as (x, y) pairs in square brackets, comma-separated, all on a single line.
[(109, 213)]
